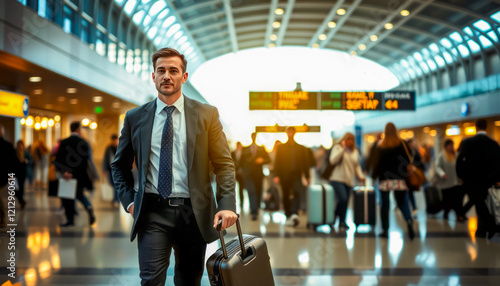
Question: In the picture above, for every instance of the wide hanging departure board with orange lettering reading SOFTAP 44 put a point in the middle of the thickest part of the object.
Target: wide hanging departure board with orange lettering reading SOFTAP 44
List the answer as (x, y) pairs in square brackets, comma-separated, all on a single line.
[(351, 100)]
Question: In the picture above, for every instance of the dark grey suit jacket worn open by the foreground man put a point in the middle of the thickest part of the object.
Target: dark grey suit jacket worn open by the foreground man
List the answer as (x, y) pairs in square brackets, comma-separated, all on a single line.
[(206, 143)]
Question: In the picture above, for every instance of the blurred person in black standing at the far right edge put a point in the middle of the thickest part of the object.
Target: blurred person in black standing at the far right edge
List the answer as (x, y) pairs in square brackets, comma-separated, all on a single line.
[(478, 165)]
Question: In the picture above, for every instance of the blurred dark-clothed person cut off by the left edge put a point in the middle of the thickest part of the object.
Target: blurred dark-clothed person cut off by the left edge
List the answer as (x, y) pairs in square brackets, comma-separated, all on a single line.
[(9, 165)]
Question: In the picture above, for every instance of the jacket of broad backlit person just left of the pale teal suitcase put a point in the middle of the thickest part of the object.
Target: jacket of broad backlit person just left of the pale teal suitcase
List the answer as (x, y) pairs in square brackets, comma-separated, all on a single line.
[(285, 166)]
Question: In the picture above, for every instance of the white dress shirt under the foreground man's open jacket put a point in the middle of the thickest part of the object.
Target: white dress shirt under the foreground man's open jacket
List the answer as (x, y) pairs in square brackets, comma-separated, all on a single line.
[(179, 154)]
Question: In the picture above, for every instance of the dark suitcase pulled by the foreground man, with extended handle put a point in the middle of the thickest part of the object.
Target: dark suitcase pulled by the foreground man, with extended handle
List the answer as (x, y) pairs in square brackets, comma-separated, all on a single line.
[(229, 265)]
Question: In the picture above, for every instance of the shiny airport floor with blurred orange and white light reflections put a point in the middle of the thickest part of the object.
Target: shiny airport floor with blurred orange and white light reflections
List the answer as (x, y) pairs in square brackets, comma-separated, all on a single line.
[(444, 252)]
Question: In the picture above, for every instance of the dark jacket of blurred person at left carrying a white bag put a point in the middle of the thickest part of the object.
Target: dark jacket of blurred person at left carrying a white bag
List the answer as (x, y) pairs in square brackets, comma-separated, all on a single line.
[(72, 156)]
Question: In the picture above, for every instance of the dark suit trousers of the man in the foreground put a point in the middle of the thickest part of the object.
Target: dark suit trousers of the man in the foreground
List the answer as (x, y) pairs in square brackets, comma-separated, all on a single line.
[(162, 228)]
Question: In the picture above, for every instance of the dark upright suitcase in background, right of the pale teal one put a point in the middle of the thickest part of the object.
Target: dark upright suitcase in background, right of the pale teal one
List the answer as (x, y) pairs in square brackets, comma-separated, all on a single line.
[(364, 206)]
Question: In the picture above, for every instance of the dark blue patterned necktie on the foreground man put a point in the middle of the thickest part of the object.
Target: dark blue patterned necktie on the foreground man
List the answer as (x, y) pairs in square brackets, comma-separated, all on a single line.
[(165, 170)]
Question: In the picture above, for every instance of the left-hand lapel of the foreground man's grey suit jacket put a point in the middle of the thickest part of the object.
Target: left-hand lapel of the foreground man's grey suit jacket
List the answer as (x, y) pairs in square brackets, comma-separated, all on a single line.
[(147, 119)]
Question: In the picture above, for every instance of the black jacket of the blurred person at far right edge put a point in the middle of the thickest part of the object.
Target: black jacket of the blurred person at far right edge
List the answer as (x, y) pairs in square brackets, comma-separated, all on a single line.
[(478, 161)]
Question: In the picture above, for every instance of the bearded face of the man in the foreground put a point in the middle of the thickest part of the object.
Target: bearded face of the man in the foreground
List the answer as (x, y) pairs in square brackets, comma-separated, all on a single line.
[(168, 76)]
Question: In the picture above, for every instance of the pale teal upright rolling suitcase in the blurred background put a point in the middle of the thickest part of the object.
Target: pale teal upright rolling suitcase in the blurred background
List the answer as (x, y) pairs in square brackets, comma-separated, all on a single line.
[(320, 200)]
